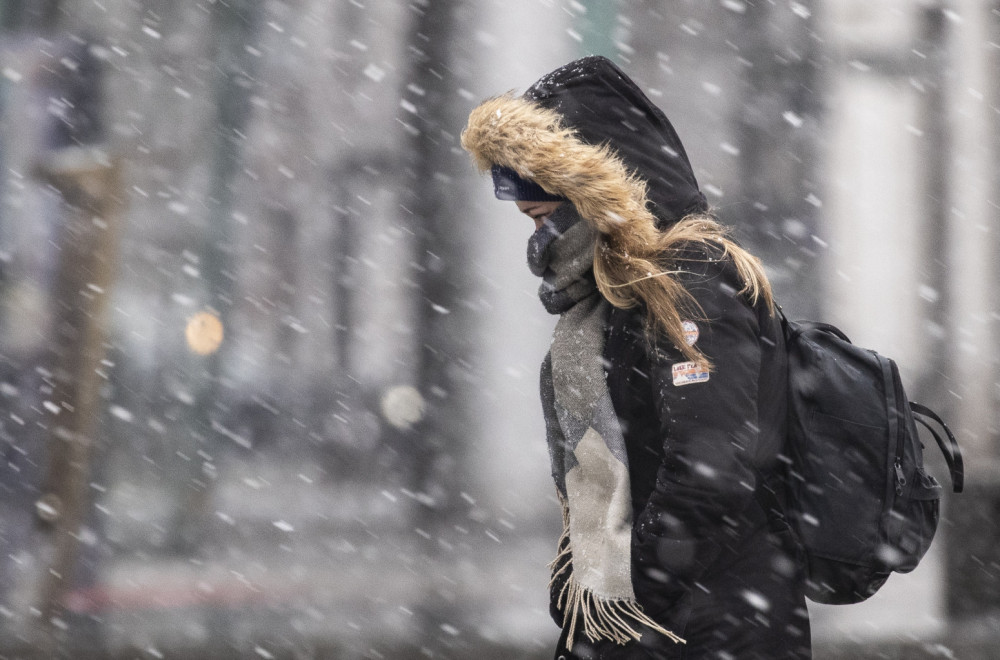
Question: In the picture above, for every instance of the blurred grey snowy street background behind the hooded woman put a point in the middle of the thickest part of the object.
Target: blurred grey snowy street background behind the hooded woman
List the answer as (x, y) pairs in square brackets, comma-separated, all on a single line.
[(269, 347)]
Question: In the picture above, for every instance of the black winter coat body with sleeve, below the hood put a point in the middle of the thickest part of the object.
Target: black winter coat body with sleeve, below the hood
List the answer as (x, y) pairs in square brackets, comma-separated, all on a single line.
[(706, 564)]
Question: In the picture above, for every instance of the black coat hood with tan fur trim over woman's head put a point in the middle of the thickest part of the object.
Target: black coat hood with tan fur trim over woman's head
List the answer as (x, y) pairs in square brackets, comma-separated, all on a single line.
[(586, 132)]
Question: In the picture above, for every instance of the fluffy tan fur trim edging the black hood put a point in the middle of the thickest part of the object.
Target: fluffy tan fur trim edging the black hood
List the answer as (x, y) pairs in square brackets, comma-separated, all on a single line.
[(519, 134)]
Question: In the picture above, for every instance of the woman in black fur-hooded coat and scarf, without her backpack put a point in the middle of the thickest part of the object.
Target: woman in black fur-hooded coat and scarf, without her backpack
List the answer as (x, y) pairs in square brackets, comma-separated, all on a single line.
[(664, 390)]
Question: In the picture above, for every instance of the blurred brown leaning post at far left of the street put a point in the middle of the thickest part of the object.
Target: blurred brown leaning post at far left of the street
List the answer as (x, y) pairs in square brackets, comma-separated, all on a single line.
[(90, 185)]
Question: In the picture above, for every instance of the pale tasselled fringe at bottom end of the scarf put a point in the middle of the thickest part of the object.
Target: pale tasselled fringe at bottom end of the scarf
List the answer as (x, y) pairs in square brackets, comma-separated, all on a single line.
[(598, 617)]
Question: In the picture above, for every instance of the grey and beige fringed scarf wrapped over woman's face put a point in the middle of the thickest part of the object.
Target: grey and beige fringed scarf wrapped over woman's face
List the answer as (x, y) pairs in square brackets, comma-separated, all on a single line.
[(586, 446)]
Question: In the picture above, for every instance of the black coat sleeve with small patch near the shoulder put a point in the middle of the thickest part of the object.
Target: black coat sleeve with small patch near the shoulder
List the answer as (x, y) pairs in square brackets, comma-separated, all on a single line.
[(710, 434)]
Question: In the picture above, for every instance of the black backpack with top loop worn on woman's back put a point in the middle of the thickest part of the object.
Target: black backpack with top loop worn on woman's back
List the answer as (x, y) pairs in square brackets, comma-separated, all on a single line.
[(852, 486)]
